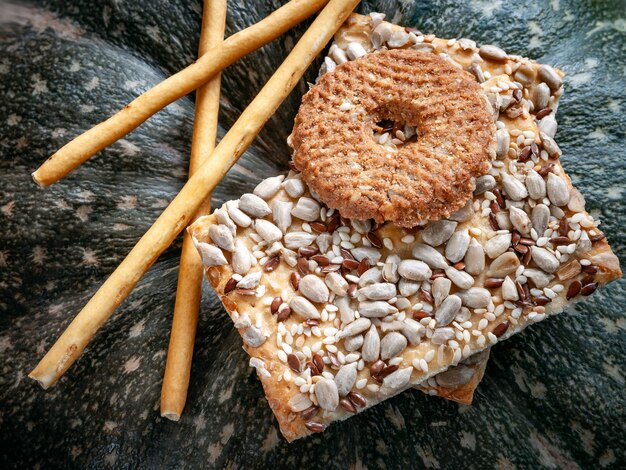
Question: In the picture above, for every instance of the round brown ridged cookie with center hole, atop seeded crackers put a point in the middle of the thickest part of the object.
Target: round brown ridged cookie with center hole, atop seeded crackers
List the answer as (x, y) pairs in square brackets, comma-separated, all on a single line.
[(423, 180)]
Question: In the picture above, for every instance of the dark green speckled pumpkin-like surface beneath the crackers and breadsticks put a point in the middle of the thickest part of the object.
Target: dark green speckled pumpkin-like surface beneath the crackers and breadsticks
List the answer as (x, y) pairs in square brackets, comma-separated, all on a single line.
[(552, 396)]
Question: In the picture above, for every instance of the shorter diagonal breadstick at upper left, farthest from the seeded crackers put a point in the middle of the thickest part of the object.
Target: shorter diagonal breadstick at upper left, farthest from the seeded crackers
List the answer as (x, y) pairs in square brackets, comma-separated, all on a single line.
[(83, 147)]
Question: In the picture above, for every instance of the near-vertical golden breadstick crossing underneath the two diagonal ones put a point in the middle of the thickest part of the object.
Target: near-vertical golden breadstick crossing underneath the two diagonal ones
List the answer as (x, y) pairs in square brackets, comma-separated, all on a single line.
[(189, 288)]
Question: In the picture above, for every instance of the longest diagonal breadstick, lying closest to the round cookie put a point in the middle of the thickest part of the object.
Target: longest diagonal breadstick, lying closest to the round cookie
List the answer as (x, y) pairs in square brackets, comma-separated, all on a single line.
[(182, 208)]
